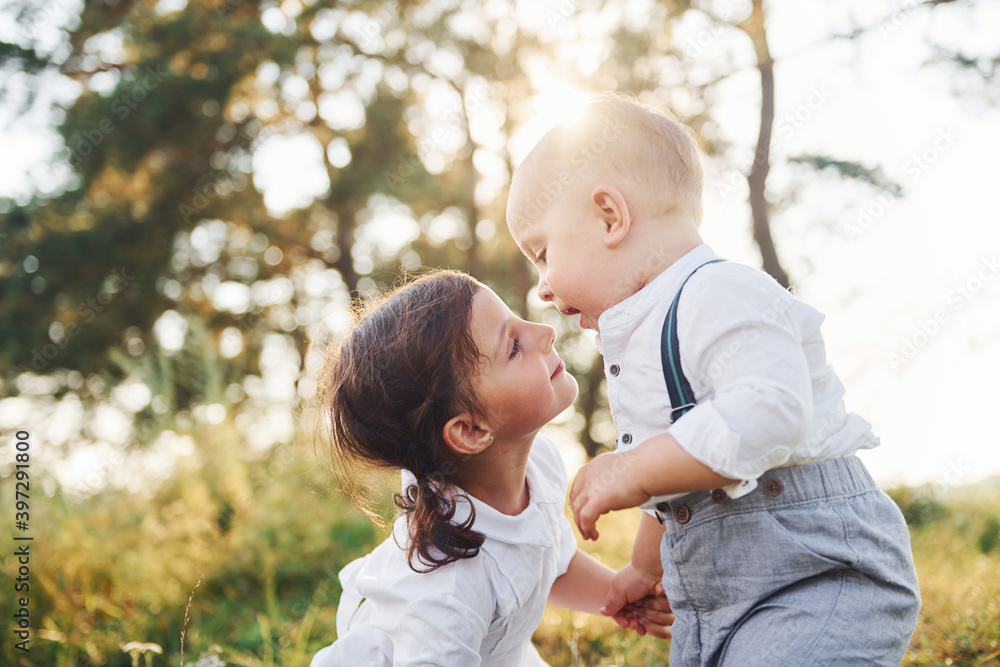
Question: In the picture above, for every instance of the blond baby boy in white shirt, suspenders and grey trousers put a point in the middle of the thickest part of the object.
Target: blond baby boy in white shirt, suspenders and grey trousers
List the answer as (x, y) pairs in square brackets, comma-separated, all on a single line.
[(772, 541)]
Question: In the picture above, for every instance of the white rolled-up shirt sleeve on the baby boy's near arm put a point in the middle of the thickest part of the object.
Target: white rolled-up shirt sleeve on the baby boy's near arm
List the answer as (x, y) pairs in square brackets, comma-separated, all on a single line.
[(745, 361)]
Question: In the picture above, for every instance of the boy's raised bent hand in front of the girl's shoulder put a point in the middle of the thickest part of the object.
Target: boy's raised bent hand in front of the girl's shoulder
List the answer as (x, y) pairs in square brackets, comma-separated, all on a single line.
[(603, 485)]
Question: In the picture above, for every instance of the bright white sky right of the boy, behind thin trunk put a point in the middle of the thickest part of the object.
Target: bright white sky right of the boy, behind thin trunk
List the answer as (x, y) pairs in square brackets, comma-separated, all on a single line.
[(932, 405)]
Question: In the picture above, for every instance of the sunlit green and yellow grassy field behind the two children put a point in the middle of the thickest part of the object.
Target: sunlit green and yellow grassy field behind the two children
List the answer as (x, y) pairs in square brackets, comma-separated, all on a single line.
[(117, 569)]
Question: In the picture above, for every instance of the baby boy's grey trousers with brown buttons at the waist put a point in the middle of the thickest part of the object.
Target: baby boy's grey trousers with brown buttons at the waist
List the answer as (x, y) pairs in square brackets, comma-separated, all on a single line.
[(813, 567)]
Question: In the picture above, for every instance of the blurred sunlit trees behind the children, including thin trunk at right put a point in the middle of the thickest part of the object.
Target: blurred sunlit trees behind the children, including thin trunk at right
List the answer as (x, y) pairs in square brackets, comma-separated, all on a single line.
[(408, 112)]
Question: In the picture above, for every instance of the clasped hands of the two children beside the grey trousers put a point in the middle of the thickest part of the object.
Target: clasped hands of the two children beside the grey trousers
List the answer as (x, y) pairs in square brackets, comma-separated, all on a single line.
[(636, 601)]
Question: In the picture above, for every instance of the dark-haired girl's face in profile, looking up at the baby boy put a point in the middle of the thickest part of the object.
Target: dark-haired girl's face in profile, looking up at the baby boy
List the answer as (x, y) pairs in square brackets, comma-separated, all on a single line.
[(523, 384)]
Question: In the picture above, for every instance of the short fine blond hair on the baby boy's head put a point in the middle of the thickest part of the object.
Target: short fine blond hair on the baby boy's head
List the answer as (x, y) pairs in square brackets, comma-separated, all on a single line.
[(650, 155)]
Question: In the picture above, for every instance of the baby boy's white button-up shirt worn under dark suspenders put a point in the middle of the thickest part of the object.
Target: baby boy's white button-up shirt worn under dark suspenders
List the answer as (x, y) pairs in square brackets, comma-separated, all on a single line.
[(755, 359)]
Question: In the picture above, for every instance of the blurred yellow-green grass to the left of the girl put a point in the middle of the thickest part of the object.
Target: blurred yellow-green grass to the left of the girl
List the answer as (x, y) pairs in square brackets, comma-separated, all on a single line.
[(118, 568)]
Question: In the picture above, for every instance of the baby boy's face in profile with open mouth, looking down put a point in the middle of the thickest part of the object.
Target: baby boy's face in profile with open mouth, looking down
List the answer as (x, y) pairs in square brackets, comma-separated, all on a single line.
[(575, 265)]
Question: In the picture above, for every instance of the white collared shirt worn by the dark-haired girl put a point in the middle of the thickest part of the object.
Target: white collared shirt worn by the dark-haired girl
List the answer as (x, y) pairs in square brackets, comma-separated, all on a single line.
[(475, 611)]
